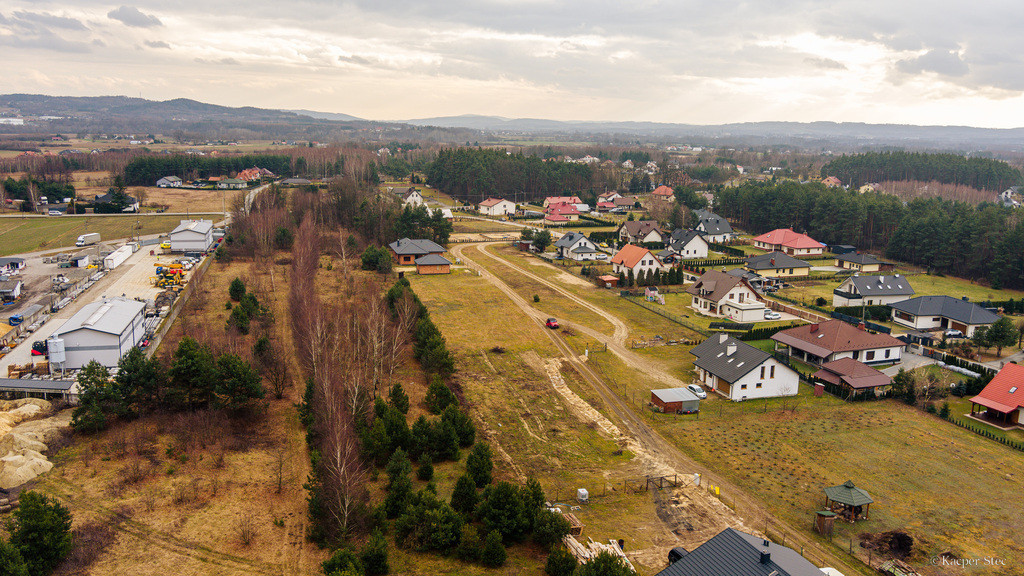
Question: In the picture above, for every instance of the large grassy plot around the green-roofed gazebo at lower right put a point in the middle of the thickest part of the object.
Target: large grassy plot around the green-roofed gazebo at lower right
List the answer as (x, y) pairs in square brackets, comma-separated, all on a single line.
[(949, 488)]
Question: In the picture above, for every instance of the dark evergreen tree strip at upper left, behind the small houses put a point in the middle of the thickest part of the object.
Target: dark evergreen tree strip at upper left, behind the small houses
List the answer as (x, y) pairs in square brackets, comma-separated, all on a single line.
[(146, 171)]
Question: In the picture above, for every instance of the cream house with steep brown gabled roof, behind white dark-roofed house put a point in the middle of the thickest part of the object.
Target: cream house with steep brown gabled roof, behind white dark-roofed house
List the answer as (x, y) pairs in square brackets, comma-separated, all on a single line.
[(723, 296)]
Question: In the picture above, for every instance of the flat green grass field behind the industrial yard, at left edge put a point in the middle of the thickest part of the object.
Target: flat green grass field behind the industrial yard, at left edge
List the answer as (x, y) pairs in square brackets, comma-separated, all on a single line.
[(39, 233)]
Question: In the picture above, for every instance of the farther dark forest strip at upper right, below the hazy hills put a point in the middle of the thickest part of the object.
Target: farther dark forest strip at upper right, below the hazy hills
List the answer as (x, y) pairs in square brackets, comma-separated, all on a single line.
[(983, 174)]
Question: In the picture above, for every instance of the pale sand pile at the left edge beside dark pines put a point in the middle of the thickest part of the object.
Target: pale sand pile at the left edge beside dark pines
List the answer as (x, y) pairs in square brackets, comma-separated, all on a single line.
[(23, 441)]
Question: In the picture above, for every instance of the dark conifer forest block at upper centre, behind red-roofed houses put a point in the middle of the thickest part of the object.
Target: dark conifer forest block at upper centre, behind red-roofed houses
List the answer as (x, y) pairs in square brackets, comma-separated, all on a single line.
[(476, 175)]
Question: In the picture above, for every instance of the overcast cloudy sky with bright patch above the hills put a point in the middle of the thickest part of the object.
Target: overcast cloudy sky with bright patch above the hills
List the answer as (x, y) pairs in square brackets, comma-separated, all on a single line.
[(910, 62)]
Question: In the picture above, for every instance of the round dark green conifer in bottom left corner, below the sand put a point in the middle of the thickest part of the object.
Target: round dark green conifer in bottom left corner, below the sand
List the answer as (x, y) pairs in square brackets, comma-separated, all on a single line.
[(40, 531)]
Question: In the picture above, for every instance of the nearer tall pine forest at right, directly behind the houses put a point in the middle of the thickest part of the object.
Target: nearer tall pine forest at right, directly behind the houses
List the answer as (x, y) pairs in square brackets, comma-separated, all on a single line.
[(976, 242)]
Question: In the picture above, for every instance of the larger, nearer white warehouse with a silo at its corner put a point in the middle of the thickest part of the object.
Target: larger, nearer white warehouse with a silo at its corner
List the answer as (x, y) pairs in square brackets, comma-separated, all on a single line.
[(104, 332)]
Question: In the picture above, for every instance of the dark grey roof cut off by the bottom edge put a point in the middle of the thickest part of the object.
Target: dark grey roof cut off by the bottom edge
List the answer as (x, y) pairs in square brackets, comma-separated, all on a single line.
[(732, 553)]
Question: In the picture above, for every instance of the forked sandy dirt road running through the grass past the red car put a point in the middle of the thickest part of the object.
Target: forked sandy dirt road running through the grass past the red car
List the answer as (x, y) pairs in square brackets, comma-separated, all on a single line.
[(654, 443)]
